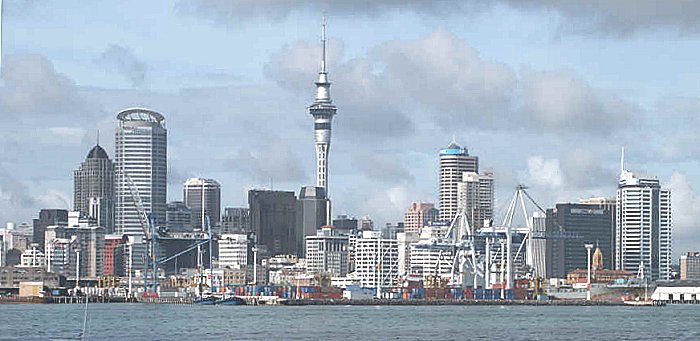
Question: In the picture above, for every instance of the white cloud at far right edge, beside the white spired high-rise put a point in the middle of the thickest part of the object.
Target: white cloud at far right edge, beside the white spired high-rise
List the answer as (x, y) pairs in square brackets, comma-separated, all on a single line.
[(685, 206)]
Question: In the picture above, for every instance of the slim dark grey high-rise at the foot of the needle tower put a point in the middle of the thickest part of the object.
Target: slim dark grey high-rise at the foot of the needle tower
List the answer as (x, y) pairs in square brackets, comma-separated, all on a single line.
[(312, 213)]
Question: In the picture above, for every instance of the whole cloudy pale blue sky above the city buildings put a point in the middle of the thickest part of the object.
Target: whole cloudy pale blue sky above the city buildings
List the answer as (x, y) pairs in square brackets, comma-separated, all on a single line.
[(545, 92)]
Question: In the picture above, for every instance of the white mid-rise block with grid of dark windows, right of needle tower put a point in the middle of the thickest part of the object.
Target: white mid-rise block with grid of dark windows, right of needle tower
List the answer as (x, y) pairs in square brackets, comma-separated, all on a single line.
[(376, 260)]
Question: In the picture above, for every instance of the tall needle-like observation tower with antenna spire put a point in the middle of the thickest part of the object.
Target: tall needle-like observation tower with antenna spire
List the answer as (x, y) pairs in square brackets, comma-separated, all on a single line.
[(323, 111)]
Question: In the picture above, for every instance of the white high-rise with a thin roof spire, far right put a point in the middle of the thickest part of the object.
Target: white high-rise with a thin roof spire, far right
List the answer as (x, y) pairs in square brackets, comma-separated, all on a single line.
[(644, 224)]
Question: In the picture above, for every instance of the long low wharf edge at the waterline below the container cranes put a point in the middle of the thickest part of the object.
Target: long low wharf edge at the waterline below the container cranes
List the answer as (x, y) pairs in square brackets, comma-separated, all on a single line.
[(375, 302)]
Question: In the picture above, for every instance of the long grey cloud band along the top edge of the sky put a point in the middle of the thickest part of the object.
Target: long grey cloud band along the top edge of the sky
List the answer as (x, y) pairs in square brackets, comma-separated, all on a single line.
[(620, 18)]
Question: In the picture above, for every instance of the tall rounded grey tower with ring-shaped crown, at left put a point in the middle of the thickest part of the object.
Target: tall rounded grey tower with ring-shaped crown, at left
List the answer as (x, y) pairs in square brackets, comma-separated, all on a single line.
[(141, 147)]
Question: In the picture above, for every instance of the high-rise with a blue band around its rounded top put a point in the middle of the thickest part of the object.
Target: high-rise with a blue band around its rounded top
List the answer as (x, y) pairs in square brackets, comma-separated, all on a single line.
[(454, 161)]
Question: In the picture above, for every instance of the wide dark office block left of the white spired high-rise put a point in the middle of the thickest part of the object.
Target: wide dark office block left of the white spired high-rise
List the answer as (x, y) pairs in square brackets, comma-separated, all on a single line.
[(578, 225)]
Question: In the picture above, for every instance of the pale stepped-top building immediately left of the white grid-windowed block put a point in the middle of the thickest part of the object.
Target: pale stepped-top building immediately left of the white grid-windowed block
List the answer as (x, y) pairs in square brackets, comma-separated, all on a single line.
[(327, 253)]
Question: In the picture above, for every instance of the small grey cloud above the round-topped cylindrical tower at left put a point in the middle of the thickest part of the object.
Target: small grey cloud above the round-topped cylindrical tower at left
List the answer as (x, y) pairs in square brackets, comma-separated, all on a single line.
[(121, 59)]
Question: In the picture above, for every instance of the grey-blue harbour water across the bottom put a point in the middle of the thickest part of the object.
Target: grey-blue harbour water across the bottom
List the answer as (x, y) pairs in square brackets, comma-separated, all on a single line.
[(197, 323)]
